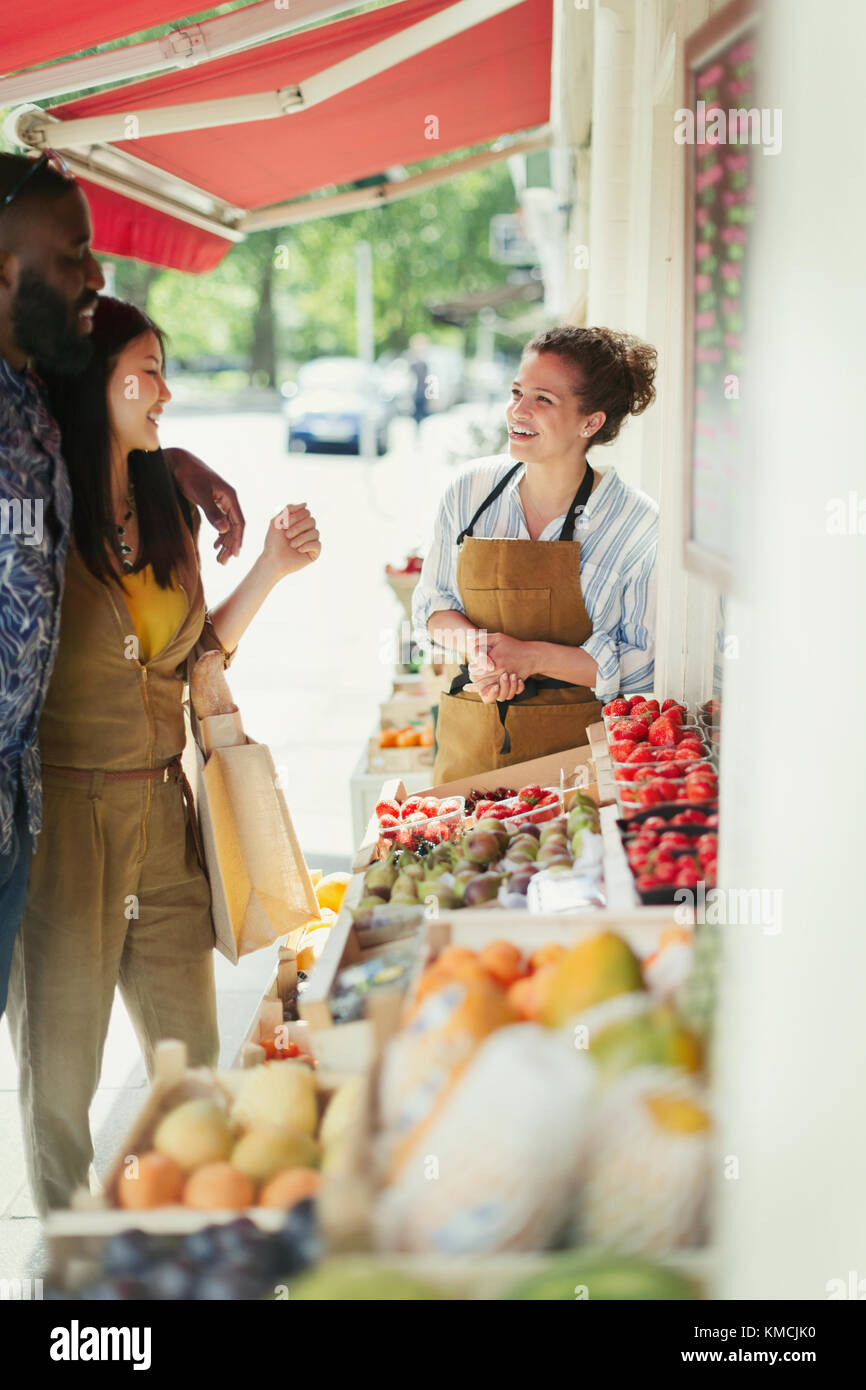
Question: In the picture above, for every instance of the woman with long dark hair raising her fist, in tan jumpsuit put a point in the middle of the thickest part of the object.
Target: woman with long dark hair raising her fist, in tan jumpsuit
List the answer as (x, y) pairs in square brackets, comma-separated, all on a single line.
[(117, 894)]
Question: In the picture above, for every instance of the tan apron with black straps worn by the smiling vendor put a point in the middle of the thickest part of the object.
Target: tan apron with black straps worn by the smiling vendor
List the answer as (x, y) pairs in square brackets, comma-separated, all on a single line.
[(530, 590)]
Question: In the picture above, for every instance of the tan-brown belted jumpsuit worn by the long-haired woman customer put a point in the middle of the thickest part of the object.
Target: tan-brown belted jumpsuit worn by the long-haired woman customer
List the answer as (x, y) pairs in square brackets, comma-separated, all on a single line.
[(117, 896)]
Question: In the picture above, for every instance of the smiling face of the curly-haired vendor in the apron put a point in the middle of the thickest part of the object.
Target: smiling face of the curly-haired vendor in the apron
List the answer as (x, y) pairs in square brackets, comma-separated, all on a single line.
[(546, 419)]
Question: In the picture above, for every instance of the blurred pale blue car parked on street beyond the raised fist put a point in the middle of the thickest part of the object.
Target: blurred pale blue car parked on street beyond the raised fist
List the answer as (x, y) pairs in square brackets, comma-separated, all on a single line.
[(329, 404)]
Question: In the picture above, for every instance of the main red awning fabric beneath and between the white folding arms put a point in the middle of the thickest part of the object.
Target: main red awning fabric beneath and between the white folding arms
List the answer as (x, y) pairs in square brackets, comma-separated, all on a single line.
[(482, 84)]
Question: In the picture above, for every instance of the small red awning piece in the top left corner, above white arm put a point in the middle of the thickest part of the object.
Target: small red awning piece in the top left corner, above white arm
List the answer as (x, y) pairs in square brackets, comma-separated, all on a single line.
[(65, 30)]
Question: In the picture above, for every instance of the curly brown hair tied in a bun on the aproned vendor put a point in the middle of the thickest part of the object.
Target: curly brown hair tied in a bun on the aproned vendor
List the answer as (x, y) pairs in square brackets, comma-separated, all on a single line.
[(615, 372)]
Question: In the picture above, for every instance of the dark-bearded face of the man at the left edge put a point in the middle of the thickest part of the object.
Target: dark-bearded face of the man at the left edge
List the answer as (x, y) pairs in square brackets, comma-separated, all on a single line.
[(54, 280)]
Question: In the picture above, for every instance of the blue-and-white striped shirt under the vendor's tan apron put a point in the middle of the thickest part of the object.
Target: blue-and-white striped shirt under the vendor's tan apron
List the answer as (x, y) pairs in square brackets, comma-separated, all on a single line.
[(618, 534)]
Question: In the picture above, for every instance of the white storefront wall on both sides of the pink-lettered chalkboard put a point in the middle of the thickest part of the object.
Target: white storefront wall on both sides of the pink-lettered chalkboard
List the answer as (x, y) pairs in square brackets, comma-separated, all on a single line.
[(790, 1043)]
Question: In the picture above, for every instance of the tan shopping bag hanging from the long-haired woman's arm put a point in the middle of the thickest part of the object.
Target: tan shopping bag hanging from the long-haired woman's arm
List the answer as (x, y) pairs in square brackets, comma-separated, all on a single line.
[(261, 885)]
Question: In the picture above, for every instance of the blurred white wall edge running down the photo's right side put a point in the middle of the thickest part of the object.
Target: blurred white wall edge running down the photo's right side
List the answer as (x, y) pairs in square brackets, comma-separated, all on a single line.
[(792, 1056)]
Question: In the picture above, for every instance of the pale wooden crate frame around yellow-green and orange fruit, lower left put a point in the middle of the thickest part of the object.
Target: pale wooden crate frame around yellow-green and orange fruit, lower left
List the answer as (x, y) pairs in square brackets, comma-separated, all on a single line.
[(80, 1232)]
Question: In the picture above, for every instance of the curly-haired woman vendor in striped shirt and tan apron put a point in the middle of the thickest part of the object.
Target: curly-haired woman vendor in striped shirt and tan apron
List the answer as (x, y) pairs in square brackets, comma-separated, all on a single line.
[(541, 571)]
